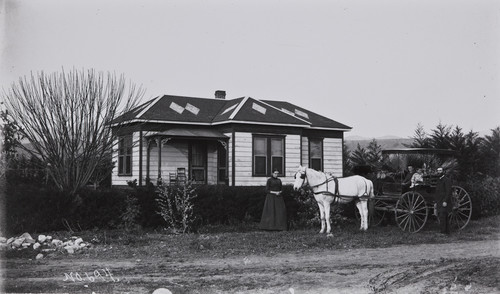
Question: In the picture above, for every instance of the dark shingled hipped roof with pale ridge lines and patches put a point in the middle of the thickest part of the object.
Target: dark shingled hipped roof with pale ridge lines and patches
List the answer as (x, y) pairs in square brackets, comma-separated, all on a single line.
[(210, 111)]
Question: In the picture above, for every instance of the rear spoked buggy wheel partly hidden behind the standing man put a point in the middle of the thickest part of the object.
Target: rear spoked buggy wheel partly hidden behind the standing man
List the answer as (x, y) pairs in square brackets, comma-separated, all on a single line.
[(461, 210)]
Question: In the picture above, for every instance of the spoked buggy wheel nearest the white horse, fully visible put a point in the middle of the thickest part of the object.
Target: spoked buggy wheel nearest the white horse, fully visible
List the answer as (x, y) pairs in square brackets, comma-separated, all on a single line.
[(411, 212)]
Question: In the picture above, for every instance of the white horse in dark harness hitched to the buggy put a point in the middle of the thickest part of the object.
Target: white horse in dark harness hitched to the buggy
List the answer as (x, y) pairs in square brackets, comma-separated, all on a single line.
[(328, 189)]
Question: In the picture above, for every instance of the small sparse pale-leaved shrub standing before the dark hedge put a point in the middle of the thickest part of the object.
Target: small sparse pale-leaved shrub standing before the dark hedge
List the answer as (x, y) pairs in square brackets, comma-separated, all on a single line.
[(176, 206)]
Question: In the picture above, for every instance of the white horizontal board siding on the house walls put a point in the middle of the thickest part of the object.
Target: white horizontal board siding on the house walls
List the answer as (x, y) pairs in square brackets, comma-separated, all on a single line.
[(175, 154)]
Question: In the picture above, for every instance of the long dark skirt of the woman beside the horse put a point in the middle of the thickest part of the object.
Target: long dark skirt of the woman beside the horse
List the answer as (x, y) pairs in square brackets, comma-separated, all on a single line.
[(274, 214)]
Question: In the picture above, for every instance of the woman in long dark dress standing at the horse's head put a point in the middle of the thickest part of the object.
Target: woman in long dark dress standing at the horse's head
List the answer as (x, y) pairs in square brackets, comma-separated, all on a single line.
[(274, 212)]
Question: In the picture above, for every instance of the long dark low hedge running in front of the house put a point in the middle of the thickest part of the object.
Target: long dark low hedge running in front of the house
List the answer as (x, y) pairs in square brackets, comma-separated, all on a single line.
[(33, 209)]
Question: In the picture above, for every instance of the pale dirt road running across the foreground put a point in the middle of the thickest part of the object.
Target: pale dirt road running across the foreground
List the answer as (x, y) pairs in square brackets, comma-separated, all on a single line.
[(466, 267)]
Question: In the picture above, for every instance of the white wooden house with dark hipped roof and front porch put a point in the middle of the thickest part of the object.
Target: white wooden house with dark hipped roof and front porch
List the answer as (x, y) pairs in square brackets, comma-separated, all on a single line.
[(236, 142)]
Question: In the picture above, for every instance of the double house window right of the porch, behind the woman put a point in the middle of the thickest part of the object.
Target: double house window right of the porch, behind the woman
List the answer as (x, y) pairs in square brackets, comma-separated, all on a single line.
[(268, 154)]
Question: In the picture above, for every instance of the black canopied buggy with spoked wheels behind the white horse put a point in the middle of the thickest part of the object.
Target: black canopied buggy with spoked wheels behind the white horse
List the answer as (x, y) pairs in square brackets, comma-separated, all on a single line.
[(413, 207)]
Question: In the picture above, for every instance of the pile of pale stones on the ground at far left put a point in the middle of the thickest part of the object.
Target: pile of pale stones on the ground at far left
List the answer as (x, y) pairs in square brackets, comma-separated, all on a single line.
[(43, 244)]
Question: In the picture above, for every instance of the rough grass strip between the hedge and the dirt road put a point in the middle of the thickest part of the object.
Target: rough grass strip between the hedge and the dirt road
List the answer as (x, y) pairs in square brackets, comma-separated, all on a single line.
[(221, 241)]
